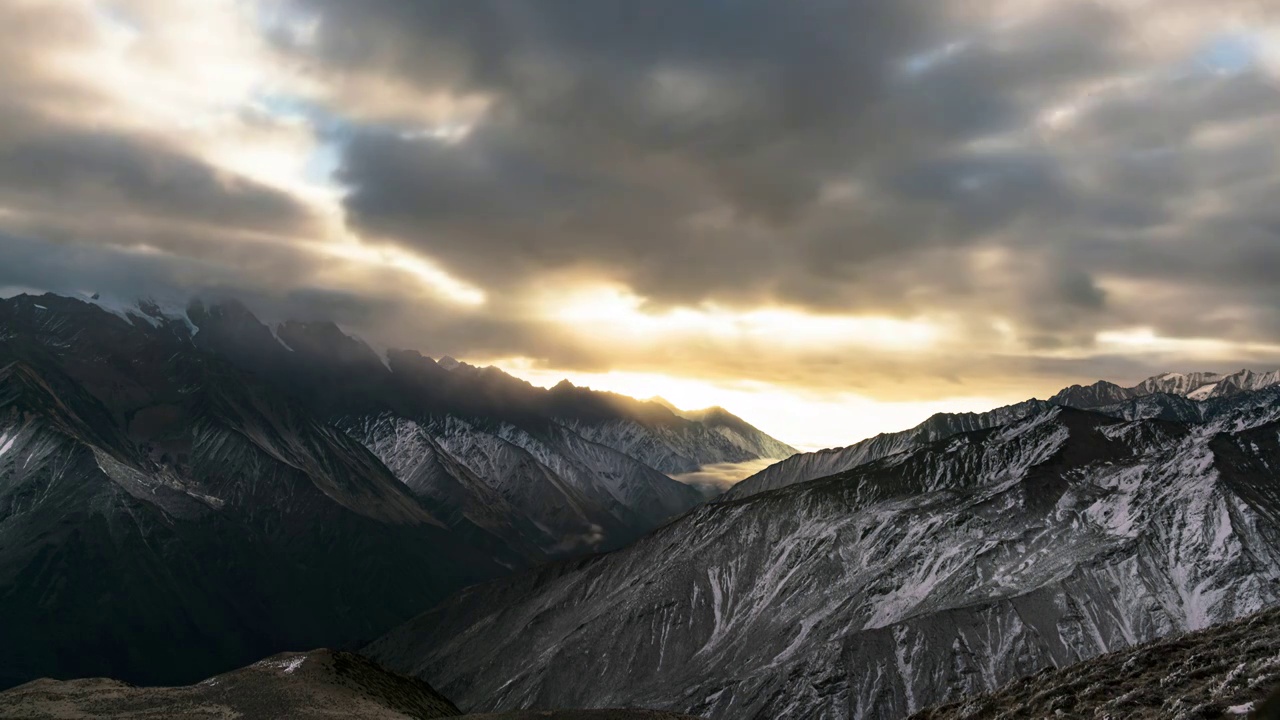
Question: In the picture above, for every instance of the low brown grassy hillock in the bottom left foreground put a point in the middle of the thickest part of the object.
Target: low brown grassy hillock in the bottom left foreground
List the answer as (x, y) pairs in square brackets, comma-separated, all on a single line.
[(318, 685)]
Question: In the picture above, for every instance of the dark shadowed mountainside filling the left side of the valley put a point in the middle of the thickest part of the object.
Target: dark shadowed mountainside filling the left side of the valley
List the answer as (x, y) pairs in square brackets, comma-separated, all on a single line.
[(181, 494)]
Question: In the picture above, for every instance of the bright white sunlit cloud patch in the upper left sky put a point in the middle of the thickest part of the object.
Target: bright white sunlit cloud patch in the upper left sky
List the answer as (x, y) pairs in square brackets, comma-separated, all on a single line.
[(188, 74)]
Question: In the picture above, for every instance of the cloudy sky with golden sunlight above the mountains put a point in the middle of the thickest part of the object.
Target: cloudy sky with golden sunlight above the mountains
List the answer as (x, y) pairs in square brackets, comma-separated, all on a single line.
[(833, 218)]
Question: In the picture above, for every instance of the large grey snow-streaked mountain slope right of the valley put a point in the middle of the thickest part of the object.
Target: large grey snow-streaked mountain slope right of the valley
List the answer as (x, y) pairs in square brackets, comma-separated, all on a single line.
[(932, 575)]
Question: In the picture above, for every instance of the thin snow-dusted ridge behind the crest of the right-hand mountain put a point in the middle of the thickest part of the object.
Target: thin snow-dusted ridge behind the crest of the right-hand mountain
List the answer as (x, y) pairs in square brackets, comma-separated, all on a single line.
[(1171, 397)]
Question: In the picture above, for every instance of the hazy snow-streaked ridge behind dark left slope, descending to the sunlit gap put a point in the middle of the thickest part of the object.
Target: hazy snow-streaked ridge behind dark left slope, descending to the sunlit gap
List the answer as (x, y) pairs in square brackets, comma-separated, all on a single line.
[(577, 470)]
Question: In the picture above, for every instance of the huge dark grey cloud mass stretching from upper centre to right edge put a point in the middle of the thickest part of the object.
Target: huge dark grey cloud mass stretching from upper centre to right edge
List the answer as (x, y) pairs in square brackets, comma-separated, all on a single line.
[(692, 149)]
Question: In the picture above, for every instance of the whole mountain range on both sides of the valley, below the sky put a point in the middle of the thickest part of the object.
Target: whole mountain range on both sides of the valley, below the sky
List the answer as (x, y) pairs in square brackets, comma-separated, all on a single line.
[(185, 491)]
